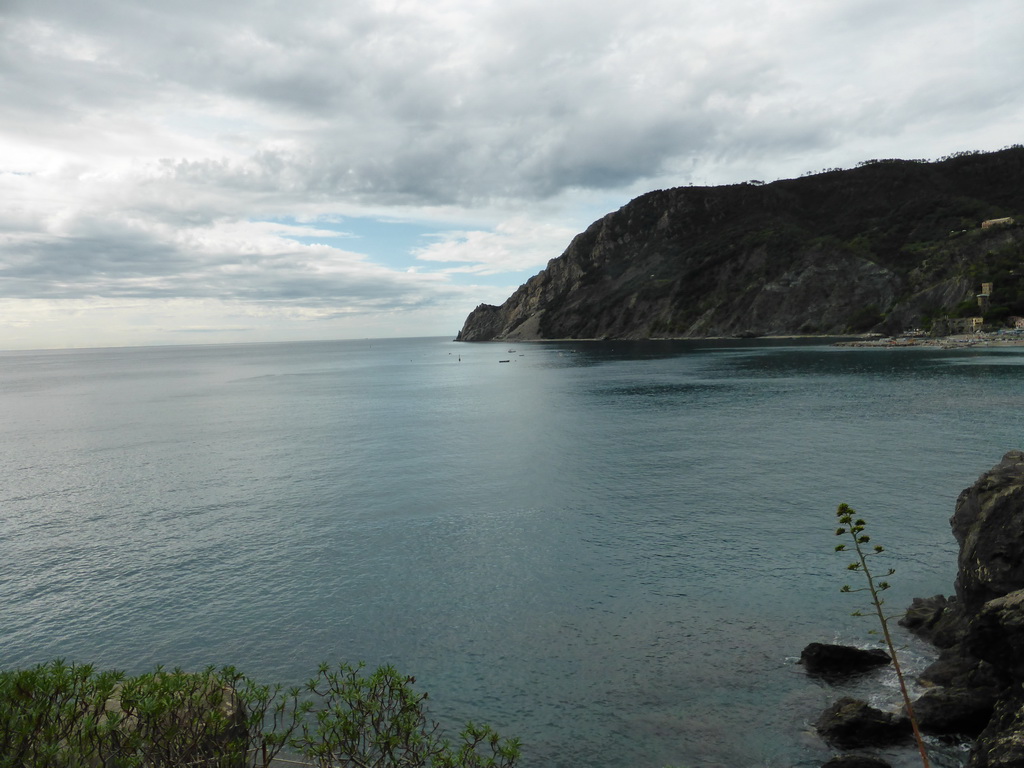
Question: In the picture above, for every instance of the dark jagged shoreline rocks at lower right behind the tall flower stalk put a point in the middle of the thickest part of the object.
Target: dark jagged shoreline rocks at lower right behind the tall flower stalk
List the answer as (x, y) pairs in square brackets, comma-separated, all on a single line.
[(975, 690)]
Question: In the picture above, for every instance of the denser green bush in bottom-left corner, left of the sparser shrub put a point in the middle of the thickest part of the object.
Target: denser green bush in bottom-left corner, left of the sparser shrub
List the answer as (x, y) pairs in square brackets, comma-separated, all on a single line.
[(58, 715)]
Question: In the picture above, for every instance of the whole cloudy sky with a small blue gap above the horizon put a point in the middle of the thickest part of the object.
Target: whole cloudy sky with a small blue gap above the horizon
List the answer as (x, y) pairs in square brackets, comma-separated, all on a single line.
[(250, 170)]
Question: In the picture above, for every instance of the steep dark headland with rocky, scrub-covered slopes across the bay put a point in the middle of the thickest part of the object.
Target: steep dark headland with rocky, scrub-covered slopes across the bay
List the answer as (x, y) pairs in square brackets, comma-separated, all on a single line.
[(884, 247)]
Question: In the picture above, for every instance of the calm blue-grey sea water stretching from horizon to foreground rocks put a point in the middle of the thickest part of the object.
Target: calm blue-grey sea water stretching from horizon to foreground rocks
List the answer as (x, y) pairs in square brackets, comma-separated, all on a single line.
[(614, 551)]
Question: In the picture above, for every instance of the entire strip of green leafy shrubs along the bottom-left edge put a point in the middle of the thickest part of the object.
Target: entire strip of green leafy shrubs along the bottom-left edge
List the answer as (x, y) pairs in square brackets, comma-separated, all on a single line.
[(69, 716)]
